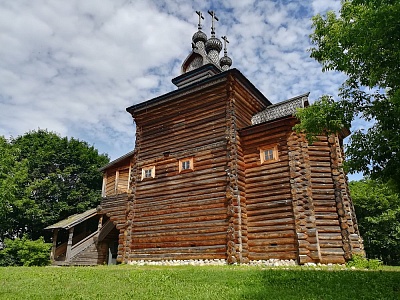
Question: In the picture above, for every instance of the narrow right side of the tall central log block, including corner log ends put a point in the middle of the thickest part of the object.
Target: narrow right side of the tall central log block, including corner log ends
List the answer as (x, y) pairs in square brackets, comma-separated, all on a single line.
[(241, 107)]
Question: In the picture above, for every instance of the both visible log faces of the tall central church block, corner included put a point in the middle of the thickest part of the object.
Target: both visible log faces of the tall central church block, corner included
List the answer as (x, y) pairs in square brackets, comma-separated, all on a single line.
[(198, 213)]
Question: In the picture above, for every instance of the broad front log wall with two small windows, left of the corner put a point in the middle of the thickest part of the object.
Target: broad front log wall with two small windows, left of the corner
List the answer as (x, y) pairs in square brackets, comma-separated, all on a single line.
[(181, 215)]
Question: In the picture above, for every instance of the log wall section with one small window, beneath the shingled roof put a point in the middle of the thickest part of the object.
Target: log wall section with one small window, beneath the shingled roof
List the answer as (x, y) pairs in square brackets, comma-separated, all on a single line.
[(271, 232)]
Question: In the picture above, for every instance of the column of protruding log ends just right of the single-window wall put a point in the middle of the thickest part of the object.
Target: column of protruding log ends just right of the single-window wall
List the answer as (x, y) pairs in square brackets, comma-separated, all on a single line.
[(303, 206)]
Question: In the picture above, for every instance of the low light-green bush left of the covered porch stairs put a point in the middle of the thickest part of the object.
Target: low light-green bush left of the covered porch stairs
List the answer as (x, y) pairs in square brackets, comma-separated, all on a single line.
[(25, 252)]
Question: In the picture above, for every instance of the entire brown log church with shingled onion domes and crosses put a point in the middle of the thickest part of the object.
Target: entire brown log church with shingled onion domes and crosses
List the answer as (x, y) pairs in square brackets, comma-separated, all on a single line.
[(217, 173)]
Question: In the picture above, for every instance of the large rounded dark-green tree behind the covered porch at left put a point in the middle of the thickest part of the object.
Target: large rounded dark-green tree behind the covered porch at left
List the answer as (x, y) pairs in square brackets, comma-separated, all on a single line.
[(46, 178)]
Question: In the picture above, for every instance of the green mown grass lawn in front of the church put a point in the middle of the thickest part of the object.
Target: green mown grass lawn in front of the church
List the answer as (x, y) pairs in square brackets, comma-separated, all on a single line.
[(190, 282)]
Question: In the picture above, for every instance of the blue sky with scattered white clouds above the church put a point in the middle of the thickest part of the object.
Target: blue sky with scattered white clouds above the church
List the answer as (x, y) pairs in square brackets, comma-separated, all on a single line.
[(72, 67)]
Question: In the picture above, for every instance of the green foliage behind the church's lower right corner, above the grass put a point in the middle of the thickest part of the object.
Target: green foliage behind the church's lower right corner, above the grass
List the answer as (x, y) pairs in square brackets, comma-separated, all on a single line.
[(378, 215)]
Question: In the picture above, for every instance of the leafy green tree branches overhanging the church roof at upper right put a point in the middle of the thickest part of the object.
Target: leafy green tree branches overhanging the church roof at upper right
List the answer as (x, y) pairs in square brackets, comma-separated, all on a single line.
[(363, 42)]
